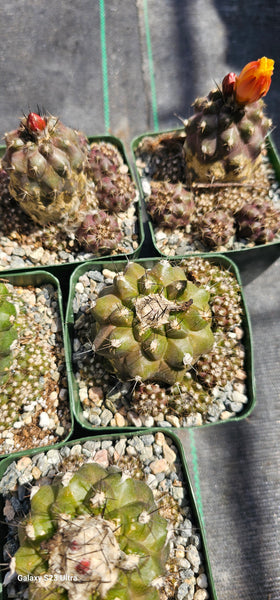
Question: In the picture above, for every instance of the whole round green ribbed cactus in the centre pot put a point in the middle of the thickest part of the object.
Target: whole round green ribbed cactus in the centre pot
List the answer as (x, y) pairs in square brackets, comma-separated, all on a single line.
[(152, 324)]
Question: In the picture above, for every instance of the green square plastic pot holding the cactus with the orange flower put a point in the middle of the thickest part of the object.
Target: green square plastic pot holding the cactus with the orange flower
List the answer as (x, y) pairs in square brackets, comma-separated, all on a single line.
[(250, 261)]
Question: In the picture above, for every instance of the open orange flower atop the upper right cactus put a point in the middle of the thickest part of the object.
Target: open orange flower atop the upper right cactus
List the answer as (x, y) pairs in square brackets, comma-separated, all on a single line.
[(254, 80)]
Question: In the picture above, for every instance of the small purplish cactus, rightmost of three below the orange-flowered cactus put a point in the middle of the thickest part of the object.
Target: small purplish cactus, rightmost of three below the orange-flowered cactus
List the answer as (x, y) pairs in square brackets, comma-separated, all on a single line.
[(258, 222)]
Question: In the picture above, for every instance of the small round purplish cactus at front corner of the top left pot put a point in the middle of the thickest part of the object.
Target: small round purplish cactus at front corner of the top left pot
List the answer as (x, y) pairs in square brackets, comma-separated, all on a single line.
[(99, 233)]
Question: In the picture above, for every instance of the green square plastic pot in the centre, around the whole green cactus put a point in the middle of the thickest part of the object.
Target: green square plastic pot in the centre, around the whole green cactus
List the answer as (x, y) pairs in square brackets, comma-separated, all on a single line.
[(116, 267)]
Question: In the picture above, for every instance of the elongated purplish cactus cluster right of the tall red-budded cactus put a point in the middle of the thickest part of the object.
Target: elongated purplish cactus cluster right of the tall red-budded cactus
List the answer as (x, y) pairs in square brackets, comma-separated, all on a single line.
[(113, 186)]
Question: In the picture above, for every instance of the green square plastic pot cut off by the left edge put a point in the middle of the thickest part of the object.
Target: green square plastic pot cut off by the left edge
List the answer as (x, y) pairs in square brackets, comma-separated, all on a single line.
[(37, 278)]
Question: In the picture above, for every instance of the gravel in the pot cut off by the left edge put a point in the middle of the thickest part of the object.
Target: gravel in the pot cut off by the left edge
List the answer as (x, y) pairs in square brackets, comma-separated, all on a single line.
[(34, 396)]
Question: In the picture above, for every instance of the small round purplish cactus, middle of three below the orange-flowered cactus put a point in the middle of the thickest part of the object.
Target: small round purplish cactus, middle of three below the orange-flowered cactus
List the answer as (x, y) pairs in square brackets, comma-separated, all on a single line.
[(215, 228)]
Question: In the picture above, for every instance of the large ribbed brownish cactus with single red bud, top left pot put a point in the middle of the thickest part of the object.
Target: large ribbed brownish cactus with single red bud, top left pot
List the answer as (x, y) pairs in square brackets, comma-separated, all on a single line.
[(46, 169)]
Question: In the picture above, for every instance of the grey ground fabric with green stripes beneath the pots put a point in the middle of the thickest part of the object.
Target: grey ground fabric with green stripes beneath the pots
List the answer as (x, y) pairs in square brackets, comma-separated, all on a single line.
[(130, 66)]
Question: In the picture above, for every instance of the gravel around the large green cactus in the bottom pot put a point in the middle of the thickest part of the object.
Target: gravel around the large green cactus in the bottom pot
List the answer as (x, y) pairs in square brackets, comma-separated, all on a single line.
[(152, 458)]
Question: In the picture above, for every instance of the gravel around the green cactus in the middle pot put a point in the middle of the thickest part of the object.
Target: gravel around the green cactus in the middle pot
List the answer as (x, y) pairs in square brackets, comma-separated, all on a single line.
[(214, 389)]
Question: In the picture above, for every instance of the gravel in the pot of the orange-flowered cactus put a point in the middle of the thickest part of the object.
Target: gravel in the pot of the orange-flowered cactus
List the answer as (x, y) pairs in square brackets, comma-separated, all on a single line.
[(159, 159)]
